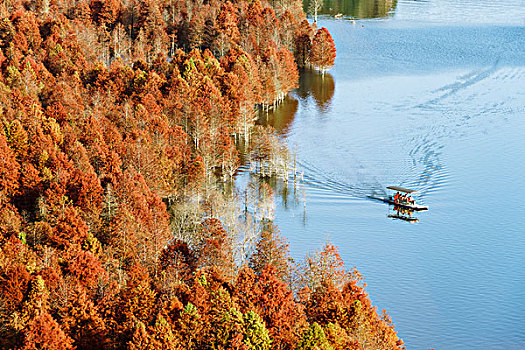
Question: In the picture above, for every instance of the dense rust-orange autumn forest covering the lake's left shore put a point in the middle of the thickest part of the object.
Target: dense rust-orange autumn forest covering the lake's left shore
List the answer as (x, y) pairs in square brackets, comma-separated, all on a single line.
[(116, 119)]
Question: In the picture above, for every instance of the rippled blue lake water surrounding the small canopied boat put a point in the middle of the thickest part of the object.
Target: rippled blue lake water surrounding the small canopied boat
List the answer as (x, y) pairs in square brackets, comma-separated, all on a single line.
[(430, 95)]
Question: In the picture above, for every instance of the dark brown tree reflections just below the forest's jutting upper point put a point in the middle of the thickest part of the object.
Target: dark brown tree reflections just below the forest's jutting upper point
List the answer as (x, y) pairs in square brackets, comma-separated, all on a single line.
[(311, 83)]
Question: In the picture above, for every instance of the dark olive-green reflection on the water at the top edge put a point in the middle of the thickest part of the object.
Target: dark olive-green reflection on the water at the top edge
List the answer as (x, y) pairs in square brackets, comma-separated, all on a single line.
[(356, 8)]
